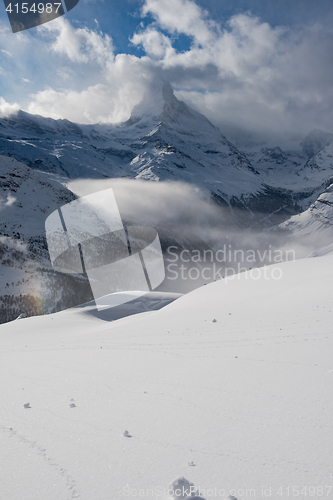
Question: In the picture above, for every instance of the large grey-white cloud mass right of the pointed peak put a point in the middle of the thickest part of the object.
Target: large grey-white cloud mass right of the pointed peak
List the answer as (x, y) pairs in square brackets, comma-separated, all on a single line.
[(248, 73)]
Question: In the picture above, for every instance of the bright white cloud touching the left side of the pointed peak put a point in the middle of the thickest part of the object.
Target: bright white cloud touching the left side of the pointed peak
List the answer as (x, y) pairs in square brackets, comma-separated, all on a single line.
[(97, 86)]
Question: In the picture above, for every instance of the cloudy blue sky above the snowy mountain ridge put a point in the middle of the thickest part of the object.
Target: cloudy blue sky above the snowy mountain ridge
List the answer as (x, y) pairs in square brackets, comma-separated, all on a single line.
[(256, 64)]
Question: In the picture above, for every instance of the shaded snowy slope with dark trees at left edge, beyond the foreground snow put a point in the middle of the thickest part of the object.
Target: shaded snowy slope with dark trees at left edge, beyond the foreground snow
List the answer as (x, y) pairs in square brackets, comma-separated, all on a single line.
[(28, 283)]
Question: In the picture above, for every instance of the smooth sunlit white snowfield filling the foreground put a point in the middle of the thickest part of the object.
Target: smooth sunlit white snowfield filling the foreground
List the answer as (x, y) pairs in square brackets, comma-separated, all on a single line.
[(247, 399)]
